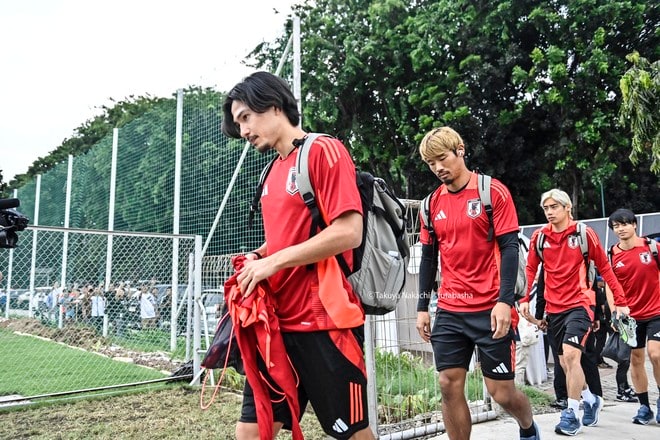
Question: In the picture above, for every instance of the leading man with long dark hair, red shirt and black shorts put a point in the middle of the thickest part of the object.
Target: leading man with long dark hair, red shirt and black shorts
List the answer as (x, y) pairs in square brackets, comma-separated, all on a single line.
[(319, 314)]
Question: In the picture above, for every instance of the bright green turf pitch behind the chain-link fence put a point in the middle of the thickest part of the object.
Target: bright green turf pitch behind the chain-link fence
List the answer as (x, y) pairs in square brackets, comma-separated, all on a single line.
[(31, 366)]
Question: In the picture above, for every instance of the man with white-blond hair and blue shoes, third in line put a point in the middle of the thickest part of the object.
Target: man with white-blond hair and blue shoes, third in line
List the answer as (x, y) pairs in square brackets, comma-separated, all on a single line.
[(570, 300)]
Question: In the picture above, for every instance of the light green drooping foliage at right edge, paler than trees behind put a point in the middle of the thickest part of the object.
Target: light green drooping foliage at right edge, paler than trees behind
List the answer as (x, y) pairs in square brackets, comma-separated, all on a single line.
[(640, 93)]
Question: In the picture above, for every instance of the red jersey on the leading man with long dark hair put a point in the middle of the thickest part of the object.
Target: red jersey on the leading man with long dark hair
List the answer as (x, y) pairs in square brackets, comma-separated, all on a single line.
[(320, 298)]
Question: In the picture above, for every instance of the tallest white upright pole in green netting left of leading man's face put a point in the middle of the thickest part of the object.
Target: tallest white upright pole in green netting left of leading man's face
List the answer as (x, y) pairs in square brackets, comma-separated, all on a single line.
[(177, 215)]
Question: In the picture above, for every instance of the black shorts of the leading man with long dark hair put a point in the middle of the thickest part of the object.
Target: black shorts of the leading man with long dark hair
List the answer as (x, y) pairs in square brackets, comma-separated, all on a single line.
[(329, 380)]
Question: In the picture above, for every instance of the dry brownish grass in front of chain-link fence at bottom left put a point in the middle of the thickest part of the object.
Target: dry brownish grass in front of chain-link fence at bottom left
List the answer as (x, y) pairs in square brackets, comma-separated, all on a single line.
[(167, 414)]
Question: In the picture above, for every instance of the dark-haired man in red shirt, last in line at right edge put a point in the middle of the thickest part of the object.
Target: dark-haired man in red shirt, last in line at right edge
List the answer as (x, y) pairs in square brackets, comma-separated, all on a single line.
[(636, 268)]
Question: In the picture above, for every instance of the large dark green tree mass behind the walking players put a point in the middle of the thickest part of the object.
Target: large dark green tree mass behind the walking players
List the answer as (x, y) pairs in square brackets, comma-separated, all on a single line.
[(532, 86)]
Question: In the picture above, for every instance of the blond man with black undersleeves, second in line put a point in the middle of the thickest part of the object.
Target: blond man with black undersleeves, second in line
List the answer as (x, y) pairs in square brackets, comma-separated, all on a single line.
[(476, 292)]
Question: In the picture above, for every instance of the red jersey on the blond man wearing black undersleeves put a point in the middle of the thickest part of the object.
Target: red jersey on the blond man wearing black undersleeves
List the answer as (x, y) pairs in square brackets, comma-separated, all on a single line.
[(469, 262)]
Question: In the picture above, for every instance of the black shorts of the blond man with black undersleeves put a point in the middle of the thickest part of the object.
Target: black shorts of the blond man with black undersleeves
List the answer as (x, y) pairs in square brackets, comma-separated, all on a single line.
[(455, 335)]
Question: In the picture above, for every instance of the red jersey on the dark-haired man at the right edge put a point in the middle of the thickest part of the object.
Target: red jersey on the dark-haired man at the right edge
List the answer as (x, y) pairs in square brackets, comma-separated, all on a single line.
[(639, 276)]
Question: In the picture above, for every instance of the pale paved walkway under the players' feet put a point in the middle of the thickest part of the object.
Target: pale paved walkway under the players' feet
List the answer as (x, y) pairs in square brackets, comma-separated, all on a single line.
[(615, 418)]
